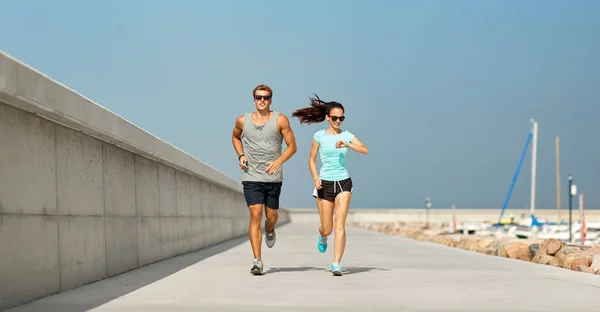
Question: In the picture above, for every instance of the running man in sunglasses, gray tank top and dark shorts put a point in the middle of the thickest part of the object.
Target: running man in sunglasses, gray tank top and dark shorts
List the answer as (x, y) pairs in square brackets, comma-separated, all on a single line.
[(257, 139)]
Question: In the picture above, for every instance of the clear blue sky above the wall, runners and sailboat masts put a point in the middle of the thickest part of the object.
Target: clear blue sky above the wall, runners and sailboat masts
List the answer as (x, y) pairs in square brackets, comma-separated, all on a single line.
[(440, 91)]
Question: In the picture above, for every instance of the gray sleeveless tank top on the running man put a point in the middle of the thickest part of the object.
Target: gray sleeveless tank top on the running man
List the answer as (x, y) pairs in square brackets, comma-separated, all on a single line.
[(261, 145)]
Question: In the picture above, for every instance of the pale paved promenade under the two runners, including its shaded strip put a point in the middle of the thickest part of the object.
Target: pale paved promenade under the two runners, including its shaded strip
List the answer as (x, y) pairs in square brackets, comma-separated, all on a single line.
[(383, 273)]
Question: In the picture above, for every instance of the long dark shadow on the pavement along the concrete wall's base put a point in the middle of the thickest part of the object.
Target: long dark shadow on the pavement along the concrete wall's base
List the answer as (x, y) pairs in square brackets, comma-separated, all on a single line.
[(88, 297)]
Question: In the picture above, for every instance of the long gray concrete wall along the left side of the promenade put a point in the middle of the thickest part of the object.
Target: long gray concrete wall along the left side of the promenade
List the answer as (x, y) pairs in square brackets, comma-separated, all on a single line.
[(86, 195)]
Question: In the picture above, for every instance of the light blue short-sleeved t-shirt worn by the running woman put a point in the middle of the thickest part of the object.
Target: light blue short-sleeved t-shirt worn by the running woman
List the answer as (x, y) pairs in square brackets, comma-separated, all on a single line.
[(333, 160)]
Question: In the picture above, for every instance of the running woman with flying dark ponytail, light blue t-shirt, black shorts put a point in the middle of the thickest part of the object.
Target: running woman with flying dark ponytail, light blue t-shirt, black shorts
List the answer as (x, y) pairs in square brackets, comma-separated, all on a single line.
[(332, 185)]
